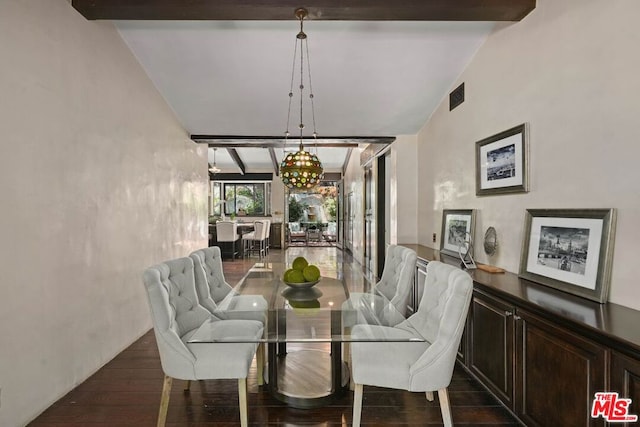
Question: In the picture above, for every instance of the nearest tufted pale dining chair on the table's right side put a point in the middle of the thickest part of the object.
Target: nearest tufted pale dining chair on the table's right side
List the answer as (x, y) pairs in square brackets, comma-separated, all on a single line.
[(416, 366)]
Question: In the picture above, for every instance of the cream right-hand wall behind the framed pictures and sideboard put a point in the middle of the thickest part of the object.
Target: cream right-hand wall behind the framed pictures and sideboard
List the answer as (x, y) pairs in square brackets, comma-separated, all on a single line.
[(569, 69)]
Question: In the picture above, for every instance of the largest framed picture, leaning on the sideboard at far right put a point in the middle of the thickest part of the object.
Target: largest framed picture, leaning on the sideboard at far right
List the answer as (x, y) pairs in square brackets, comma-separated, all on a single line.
[(570, 250)]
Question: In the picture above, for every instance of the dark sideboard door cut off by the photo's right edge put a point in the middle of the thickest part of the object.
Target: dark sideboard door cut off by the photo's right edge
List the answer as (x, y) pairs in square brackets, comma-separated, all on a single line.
[(625, 379)]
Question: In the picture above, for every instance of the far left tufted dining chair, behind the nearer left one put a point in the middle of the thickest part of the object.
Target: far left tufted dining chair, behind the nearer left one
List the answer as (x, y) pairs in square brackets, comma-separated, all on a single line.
[(216, 295)]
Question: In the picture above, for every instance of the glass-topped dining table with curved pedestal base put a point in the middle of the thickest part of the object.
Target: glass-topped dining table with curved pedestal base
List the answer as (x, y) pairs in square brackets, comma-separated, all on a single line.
[(307, 331)]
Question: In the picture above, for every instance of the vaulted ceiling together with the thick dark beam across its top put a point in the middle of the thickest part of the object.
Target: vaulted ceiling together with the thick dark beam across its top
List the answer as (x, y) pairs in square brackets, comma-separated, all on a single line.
[(379, 68)]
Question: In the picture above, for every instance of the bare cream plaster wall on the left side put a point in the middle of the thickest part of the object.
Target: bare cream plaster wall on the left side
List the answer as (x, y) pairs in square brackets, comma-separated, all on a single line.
[(98, 181)]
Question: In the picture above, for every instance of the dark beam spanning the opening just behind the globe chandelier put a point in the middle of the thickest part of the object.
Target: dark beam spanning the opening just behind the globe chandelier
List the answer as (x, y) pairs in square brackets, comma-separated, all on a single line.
[(280, 142)]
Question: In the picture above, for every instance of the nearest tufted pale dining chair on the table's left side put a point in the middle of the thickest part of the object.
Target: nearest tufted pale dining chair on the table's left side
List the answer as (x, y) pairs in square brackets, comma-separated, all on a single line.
[(177, 315)]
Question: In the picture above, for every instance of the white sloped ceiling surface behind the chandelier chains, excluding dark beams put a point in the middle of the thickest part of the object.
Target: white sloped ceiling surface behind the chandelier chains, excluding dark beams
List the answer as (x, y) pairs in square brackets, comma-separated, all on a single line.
[(370, 78)]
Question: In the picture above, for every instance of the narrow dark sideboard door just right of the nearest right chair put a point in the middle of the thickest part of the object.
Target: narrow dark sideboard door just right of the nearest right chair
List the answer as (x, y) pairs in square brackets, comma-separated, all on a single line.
[(491, 339)]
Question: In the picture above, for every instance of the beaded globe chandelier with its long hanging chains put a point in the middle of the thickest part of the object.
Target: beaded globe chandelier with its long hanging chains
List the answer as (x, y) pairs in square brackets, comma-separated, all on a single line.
[(301, 170)]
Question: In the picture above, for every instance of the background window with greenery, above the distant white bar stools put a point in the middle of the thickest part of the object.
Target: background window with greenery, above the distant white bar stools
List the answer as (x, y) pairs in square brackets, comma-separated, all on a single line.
[(247, 198)]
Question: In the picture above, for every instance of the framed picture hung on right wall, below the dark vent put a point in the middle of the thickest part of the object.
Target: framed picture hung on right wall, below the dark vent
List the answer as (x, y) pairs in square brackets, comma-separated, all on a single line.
[(502, 164)]
